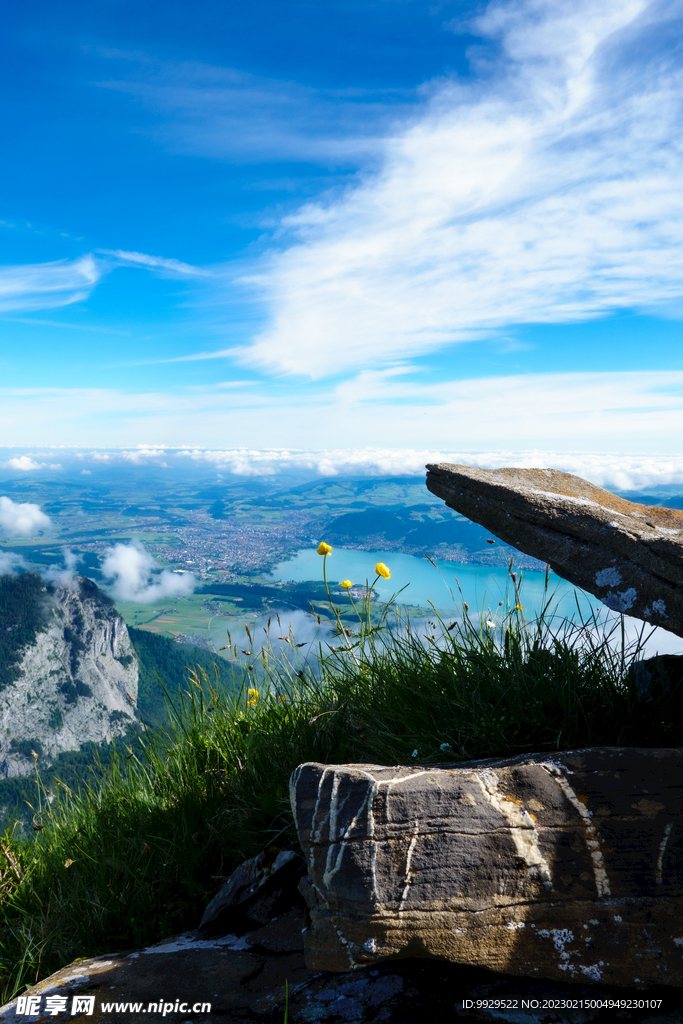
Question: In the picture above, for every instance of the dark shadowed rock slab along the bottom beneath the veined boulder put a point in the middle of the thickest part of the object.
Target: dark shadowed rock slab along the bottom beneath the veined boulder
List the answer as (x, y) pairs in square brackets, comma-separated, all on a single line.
[(246, 985)]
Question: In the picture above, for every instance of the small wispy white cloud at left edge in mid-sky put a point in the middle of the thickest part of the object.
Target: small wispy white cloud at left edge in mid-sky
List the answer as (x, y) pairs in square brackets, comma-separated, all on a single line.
[(47, 286)]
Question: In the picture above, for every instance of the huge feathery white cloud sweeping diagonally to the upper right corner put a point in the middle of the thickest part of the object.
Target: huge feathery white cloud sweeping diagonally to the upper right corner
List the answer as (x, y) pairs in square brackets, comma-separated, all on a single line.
[(546, 190)]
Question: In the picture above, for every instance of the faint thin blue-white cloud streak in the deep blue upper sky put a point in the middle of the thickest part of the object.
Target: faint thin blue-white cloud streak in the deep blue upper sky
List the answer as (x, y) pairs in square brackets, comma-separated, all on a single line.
[(228, 113)]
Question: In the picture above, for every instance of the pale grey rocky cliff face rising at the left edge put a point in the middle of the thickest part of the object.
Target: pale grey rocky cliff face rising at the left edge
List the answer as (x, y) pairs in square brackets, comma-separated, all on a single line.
[(69, 673)]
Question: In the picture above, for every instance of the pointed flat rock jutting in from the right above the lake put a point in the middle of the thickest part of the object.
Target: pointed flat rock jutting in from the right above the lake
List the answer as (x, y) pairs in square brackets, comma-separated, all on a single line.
[(628, 556)]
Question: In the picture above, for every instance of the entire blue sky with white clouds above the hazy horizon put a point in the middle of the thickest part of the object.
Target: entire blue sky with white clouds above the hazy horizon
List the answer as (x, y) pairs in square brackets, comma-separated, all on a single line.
[(399, 224)]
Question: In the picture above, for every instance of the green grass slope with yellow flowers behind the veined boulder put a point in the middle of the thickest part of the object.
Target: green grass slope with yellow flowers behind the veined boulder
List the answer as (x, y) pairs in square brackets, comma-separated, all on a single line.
[(137, 858)]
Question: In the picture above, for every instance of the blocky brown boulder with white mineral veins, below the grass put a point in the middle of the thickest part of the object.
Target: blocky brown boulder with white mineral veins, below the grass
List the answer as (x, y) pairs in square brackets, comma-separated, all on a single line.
[(567, 867)]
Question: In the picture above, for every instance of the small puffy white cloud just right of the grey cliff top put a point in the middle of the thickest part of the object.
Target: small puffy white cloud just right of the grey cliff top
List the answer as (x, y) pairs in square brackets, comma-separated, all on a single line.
[(130, 566)]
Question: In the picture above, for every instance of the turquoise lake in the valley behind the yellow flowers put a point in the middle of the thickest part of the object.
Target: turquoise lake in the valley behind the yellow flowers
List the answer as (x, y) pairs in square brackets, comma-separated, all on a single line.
[(483, 587)]
